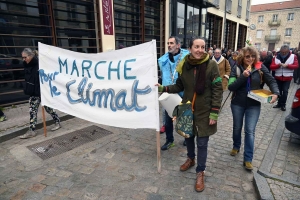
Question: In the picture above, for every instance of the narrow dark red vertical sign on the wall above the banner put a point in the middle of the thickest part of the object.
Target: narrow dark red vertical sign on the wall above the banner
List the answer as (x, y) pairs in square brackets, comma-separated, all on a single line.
[(107, 17)]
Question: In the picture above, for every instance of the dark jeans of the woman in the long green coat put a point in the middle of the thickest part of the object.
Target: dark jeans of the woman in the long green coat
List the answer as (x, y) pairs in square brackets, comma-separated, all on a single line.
[(202, 143)]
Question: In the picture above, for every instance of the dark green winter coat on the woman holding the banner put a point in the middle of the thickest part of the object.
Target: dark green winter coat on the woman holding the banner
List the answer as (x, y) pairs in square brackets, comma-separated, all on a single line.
[(204, 103)]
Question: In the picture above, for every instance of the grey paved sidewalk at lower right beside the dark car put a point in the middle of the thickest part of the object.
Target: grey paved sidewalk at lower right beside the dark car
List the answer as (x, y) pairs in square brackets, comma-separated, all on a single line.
[(281, 163)]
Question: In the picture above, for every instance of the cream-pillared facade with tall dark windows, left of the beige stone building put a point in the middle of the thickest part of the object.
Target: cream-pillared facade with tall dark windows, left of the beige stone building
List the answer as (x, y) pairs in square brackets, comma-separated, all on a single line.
[(227, 23)]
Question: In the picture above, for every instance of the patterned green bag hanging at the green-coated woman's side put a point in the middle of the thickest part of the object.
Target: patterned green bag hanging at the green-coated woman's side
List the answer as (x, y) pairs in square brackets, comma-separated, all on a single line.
[(184, 118)]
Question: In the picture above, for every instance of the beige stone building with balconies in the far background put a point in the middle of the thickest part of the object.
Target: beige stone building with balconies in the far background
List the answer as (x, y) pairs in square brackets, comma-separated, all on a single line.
[(275, 24)]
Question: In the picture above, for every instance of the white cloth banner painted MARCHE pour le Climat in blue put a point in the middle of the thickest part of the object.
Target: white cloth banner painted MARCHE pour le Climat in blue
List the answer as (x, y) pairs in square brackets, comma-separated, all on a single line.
[(114, 88)]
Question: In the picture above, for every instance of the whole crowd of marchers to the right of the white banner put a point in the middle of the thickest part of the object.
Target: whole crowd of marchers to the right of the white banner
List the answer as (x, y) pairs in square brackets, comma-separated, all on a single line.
[(201, 75)]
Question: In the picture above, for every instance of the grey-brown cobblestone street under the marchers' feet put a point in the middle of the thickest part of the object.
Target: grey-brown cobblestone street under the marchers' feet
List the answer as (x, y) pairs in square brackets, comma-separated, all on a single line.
[(123, 165)]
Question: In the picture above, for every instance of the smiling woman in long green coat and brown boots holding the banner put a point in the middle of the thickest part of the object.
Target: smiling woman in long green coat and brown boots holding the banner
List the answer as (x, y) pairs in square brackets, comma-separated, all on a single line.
[(200, 76)]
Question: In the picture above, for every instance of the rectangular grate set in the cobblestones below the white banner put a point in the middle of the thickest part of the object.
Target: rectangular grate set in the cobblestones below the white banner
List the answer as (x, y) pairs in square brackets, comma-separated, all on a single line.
[(56, 146)]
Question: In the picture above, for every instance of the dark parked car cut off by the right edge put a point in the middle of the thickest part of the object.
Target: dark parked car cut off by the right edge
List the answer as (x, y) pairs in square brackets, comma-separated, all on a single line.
[(292, 121)]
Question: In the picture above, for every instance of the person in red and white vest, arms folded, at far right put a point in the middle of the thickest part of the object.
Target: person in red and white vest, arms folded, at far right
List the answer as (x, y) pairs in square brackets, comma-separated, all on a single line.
[(284, 64)]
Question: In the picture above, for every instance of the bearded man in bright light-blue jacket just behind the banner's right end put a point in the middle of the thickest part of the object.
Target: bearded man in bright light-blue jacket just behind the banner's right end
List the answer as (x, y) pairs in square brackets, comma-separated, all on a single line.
[(167, 64)]
